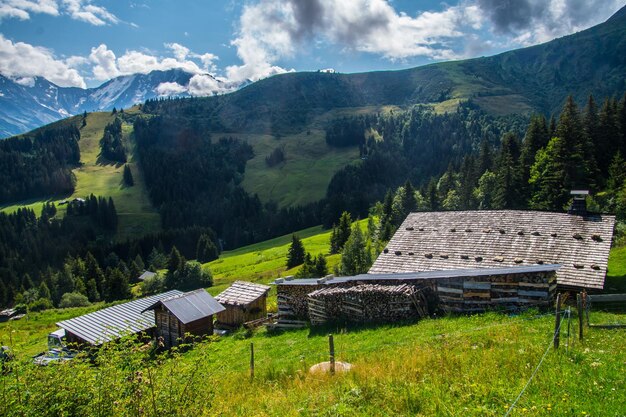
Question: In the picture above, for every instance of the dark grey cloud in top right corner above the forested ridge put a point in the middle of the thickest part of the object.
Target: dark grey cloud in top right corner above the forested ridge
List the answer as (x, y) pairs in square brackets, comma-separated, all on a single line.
[(532, 21)]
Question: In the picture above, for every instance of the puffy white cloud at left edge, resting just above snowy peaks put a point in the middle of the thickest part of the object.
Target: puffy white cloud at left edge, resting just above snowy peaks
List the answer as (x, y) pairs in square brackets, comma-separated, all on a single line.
[(21, 60)]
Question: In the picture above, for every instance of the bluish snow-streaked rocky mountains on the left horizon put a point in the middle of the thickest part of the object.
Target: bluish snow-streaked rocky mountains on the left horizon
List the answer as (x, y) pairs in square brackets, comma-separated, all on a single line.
[(23, 107)]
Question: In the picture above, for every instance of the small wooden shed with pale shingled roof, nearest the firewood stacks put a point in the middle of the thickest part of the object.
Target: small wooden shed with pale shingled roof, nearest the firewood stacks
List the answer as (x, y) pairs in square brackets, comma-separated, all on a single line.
[(244, 301)]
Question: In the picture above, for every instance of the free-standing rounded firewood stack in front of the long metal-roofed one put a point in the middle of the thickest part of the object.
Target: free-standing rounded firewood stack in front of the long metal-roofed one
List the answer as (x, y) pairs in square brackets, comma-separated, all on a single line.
[(366, 303)]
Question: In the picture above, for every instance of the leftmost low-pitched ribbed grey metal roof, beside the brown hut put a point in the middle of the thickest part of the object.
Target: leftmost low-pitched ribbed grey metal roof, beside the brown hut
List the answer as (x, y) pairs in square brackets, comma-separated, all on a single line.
[(113, 322)]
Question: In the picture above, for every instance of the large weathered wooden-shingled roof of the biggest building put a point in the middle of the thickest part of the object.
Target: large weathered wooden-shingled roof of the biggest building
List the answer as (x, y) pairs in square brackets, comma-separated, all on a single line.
[(429, 241)]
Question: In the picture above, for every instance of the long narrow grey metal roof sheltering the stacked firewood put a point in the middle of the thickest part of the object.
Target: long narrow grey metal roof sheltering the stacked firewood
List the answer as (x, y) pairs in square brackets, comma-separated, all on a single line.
[(412, 276)]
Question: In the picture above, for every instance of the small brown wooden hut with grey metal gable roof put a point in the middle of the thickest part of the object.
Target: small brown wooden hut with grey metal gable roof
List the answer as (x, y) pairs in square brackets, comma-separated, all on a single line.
[(185, 314)]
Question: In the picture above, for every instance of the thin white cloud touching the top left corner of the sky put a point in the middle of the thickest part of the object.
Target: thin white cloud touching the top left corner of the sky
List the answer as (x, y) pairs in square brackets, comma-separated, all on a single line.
[(83, 10)]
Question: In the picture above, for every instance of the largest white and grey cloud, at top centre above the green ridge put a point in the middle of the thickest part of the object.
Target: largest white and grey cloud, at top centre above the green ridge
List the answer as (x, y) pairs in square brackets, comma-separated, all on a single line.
[(274, 29)]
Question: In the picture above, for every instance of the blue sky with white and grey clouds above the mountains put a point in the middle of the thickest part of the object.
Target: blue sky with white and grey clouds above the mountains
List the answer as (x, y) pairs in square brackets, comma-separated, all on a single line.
[(83, 43)]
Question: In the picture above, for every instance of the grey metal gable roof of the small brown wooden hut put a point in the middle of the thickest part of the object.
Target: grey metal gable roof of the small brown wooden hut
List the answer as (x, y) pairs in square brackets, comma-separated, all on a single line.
[(190, 306)]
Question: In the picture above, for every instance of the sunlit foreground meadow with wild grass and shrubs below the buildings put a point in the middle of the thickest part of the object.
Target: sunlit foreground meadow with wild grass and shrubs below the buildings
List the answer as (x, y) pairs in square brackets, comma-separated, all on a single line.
[(471, 366)]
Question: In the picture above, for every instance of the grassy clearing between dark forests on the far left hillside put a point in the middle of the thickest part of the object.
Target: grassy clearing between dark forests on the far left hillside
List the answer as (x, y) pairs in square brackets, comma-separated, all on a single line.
[(136, 214)]
